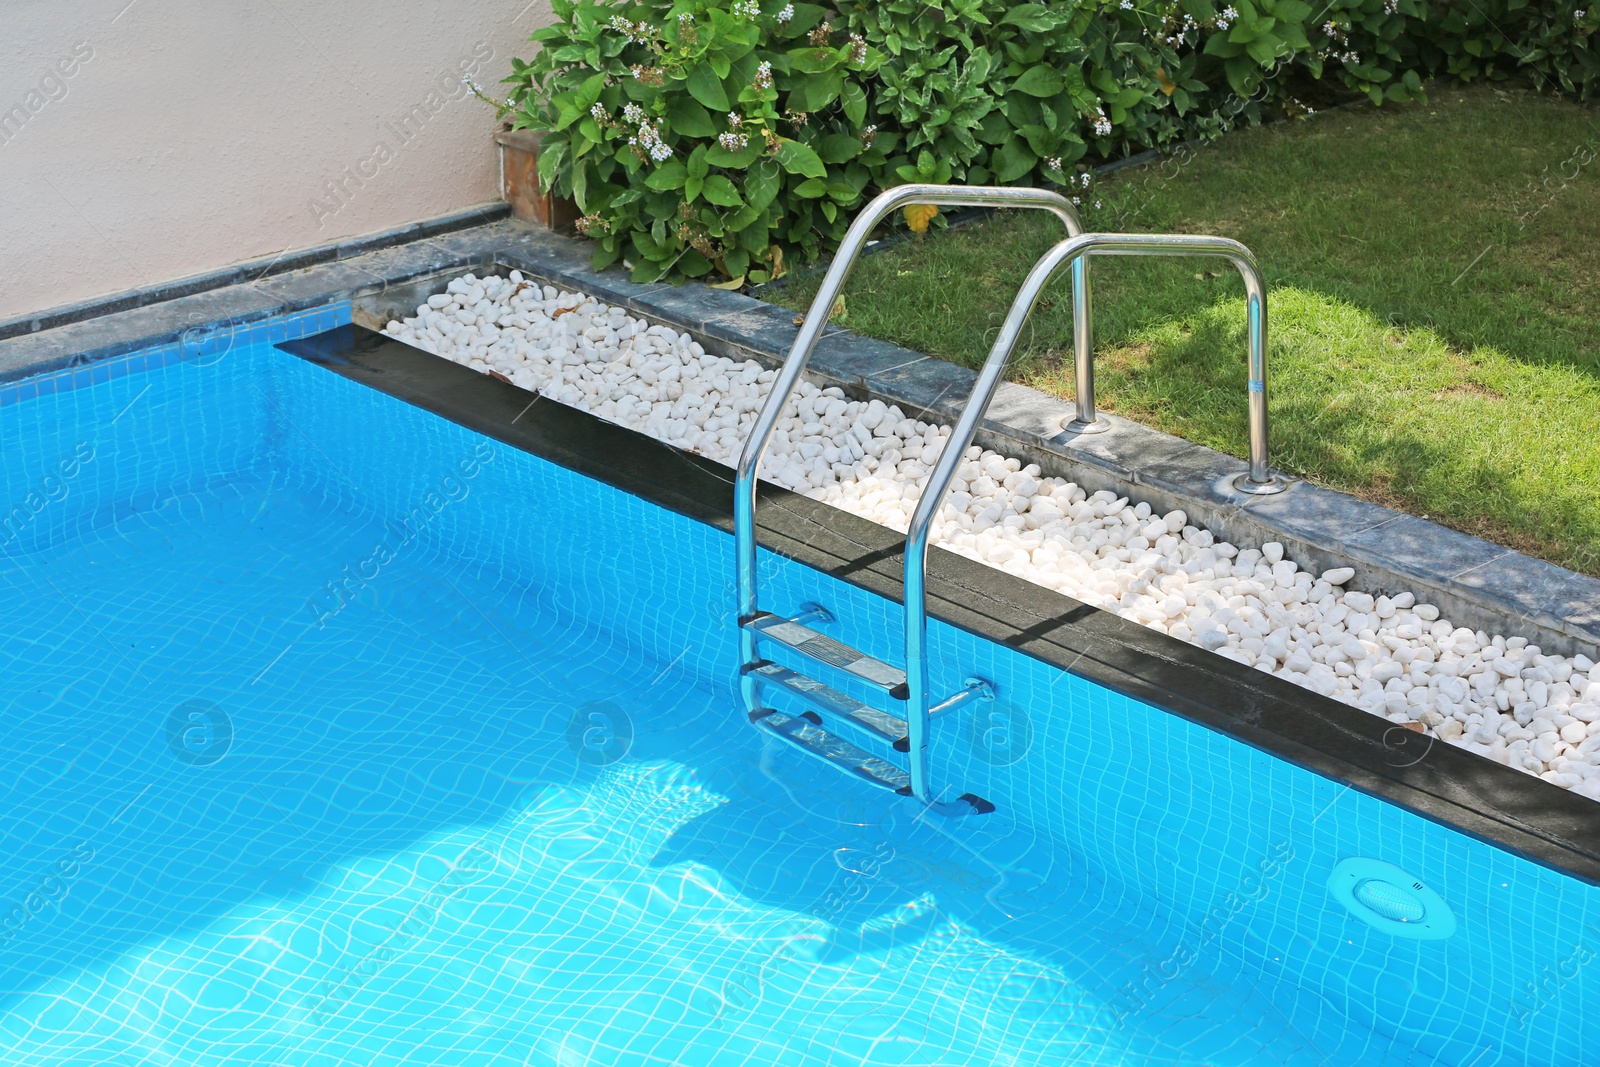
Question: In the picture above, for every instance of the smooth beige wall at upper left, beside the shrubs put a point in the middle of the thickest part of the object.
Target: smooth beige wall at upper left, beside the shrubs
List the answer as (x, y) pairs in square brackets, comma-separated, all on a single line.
[(159, 138)]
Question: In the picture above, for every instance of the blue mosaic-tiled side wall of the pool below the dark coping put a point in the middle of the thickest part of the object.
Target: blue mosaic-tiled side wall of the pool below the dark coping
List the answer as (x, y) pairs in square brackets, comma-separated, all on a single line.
[(1222, 852)]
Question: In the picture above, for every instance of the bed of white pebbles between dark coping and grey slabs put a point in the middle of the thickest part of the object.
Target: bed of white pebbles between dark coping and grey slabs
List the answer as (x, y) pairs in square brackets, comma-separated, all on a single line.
[(1498, 697)]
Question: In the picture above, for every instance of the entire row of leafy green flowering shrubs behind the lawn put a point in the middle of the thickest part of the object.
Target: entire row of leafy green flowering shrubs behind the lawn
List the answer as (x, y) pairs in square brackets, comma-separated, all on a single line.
[(714, 138)]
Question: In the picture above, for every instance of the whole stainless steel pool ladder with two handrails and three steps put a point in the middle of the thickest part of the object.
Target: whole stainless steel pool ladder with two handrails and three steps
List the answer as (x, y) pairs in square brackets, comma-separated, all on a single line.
[(833, 724)]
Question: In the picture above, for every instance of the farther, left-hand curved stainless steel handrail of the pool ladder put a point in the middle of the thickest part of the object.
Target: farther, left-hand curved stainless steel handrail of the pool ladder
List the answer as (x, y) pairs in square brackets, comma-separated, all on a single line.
[(817, 321)]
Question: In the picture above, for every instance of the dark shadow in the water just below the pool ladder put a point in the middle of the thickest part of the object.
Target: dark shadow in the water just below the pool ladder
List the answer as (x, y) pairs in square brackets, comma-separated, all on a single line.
[(874, 873)]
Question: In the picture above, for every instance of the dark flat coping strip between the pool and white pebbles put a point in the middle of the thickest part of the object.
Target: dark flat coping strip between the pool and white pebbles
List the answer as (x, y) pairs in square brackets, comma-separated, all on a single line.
[(1450, 786)]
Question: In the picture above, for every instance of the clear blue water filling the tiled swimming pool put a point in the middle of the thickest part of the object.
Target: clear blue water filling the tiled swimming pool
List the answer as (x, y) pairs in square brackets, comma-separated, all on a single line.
[(337, 733)]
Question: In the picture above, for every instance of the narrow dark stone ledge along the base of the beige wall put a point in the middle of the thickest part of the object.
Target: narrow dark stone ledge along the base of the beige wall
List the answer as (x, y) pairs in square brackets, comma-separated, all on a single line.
[(250, 271)]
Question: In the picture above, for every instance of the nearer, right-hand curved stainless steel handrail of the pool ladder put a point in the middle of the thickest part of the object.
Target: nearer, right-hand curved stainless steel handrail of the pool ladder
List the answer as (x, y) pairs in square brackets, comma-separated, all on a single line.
[(1260, 479)]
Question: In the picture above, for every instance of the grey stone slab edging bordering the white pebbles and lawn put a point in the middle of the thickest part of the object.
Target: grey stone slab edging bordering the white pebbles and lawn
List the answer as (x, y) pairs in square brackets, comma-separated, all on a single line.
[(1473, 581)]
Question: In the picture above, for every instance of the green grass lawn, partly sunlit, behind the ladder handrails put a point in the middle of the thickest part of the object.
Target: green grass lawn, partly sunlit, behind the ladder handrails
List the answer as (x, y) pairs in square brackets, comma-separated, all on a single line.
[(1434, 298)]
